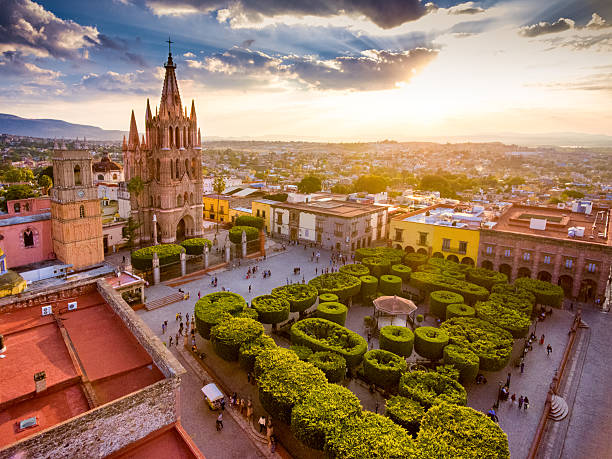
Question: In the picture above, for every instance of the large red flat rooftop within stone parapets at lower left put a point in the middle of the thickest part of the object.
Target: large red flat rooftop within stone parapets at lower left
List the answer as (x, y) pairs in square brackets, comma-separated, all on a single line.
[(89, 357)]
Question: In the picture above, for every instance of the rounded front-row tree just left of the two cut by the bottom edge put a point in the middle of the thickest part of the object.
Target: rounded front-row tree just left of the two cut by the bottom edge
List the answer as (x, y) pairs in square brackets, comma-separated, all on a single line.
[(319, 412)]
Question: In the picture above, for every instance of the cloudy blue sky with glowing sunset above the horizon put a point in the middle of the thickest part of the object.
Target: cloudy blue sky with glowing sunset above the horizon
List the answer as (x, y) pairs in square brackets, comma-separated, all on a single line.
[(335, 70)]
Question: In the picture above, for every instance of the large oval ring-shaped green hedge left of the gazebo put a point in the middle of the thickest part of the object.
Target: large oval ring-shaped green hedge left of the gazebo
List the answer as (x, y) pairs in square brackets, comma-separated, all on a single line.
[(323, 335)]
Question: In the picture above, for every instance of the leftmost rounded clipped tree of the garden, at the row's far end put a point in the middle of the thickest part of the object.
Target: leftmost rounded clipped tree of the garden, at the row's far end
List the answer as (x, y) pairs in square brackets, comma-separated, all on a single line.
[(211, 309)]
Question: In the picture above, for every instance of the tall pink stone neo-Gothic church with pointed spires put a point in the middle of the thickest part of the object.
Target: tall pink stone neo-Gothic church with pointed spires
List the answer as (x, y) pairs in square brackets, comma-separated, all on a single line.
[(164, 169)]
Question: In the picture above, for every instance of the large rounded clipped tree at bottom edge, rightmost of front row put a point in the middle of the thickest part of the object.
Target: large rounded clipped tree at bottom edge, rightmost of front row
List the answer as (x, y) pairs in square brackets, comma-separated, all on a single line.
[(449, 431)]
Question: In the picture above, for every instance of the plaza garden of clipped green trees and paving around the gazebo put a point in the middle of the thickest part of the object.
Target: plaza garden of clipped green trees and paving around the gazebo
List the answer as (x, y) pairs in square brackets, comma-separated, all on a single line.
[(338, 381)]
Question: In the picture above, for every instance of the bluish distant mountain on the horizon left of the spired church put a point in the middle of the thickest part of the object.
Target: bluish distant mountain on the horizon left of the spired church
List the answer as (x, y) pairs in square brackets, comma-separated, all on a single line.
[(48, 128)]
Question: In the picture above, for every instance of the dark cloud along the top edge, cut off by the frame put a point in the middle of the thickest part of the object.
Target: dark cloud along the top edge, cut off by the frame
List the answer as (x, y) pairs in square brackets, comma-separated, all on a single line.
[(387, 14)]
